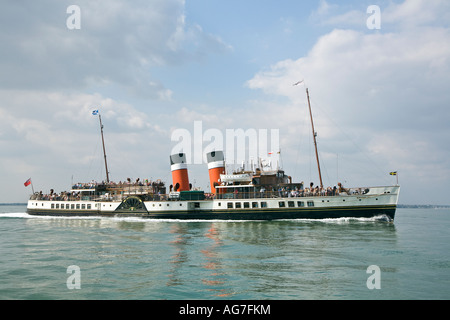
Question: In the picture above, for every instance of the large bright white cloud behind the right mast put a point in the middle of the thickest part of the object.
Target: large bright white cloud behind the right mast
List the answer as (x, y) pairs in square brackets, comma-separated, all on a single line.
[(385, 89)]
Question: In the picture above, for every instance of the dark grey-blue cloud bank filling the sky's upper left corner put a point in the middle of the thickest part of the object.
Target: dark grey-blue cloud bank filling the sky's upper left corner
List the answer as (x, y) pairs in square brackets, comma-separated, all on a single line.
[(117, 43)]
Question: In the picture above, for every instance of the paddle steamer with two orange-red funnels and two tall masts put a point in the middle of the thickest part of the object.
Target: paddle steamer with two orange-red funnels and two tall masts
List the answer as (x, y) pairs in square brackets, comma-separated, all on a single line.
[(256, 194)]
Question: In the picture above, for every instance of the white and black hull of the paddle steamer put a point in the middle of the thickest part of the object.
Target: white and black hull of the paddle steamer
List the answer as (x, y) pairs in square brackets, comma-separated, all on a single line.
[(381, 203)]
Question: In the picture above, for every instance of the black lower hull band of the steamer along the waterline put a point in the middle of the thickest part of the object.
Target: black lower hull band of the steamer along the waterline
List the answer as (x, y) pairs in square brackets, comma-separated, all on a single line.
[(388, 212)]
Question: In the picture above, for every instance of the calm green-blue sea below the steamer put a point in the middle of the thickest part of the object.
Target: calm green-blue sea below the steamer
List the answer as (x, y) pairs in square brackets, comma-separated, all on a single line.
[(108, 258)]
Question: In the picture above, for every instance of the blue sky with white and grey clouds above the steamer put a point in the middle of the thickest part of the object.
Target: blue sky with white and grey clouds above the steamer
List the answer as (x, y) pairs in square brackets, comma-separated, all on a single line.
[(378, 83)]
